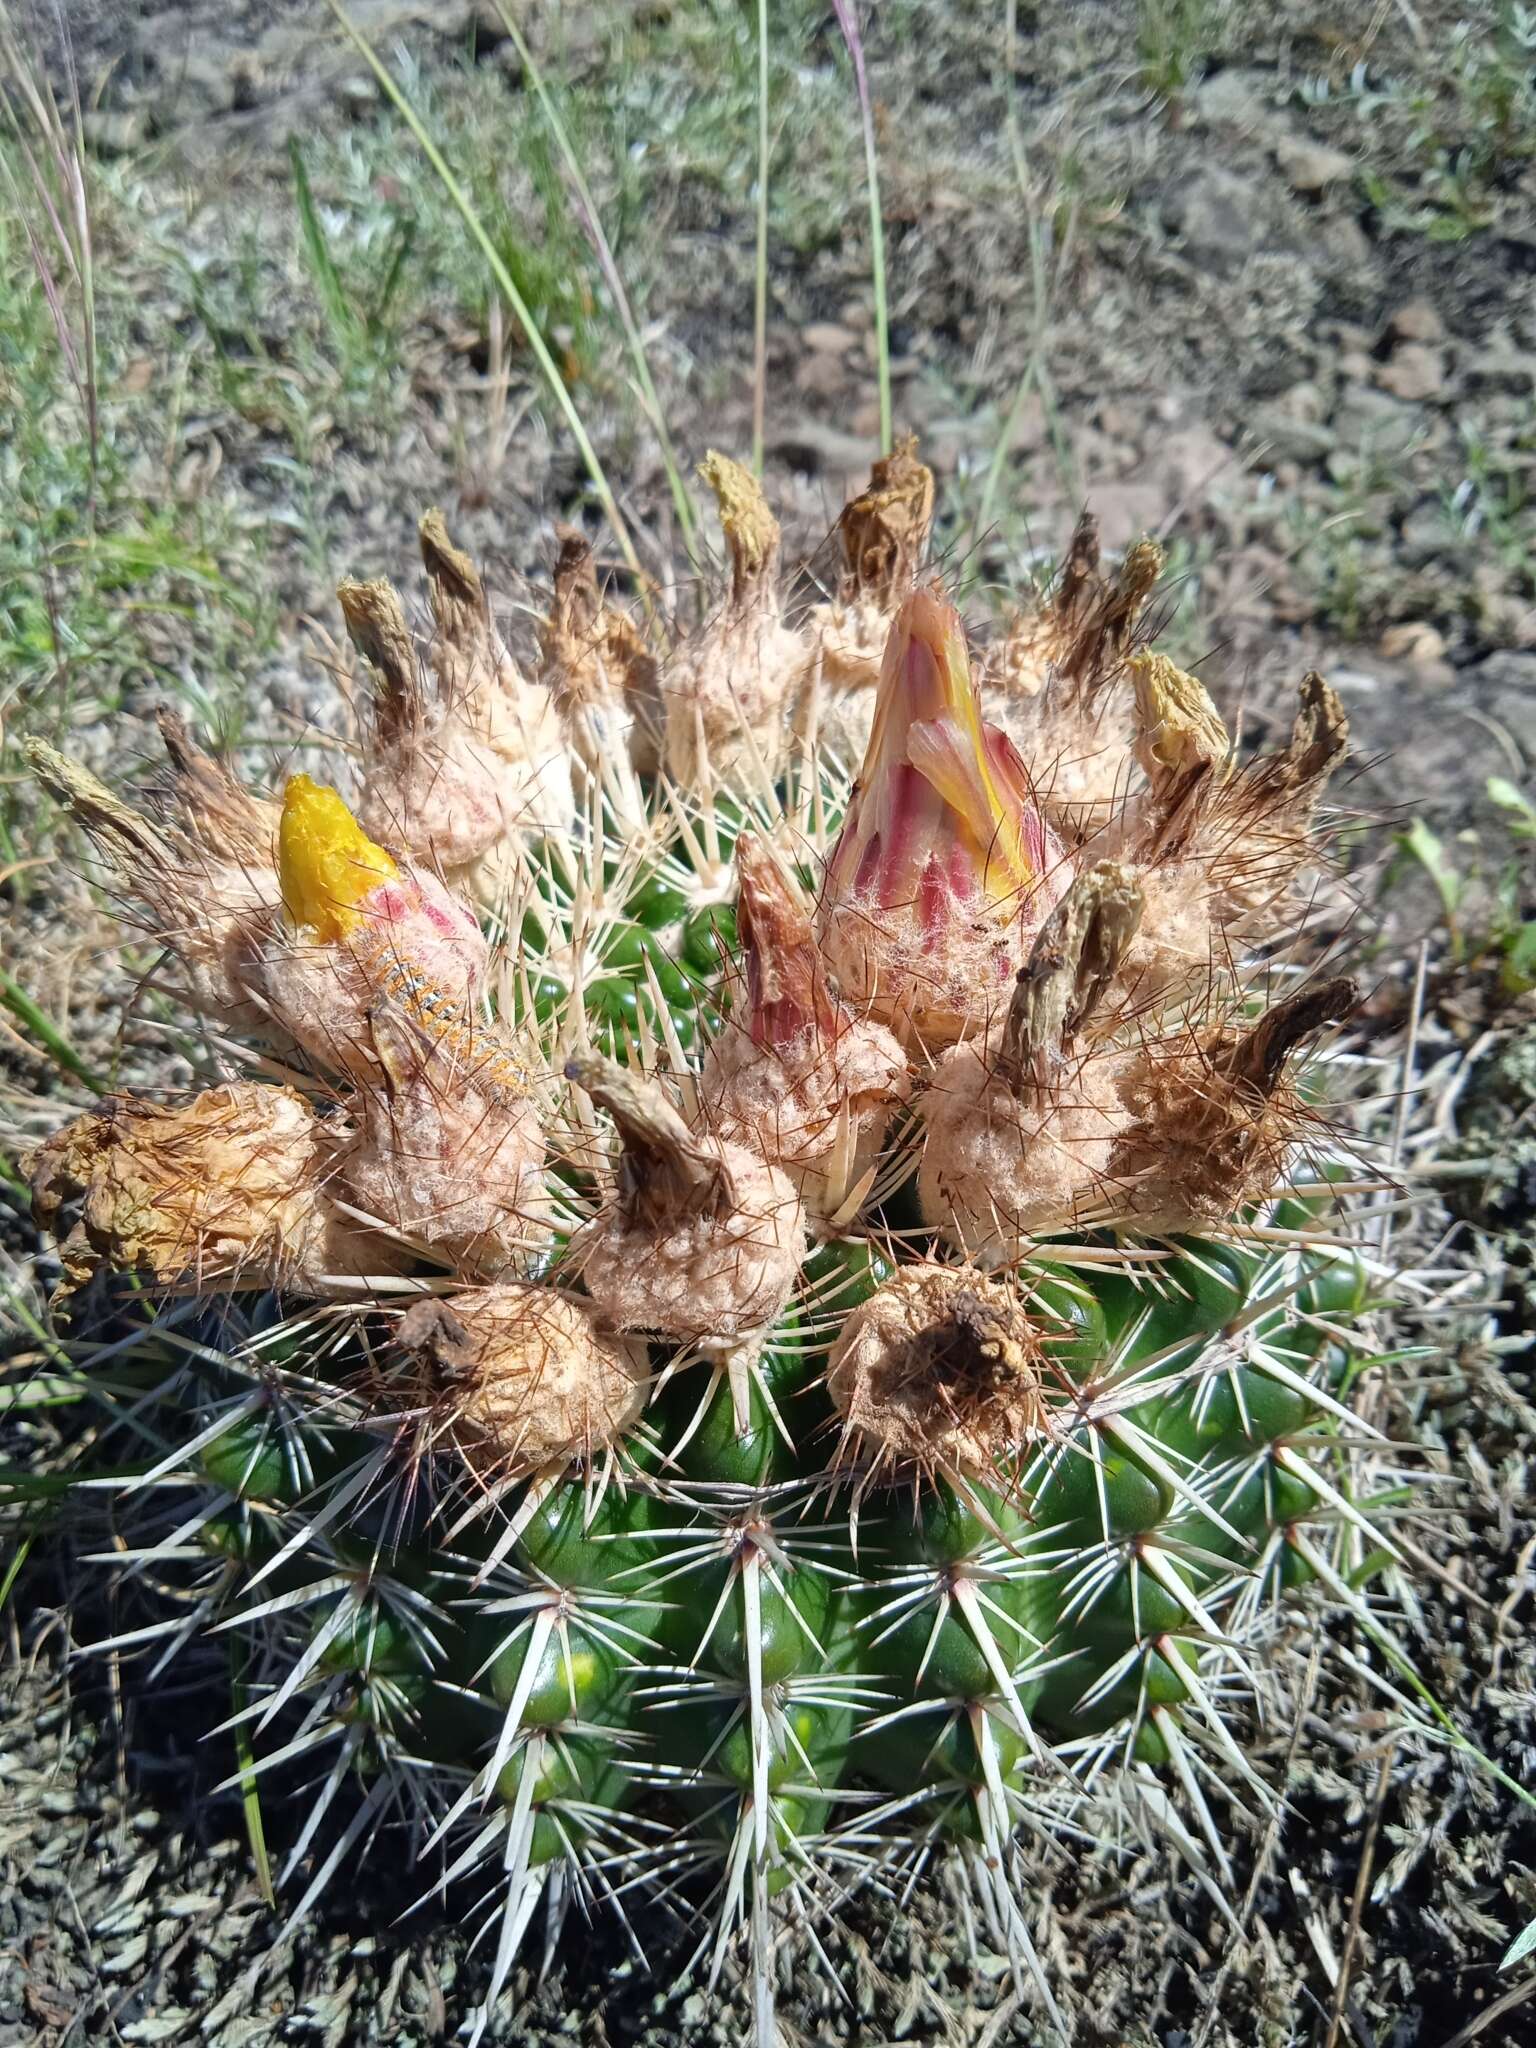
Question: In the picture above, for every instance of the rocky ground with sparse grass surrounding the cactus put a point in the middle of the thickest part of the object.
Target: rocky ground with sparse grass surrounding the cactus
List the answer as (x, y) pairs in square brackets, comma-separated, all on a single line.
[(1250, 278)]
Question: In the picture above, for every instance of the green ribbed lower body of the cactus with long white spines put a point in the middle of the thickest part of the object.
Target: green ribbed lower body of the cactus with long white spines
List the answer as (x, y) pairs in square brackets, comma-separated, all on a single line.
[(814, 1680)]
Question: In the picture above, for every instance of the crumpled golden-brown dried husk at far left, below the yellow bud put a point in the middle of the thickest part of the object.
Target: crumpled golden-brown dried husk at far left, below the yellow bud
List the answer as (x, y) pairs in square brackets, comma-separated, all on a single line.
[(228, 1189)]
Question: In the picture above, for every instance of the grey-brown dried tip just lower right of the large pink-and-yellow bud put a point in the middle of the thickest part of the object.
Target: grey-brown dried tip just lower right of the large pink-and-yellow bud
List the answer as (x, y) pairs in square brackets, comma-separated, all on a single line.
[(1070, 970)]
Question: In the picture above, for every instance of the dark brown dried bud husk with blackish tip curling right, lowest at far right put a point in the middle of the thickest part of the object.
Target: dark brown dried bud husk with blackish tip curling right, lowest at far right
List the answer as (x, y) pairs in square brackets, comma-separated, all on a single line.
[(1215, 1121)]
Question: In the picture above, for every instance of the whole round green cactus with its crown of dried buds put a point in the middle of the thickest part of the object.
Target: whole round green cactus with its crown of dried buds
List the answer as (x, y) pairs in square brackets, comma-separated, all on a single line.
[(806, 1334)]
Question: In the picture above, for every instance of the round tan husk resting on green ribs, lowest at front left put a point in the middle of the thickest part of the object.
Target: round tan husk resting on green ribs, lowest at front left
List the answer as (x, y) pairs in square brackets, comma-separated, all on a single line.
[(517, 1377)]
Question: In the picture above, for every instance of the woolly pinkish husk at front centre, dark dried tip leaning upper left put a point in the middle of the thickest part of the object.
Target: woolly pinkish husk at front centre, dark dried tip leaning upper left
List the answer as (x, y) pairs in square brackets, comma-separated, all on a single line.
[(699, 1240)]
